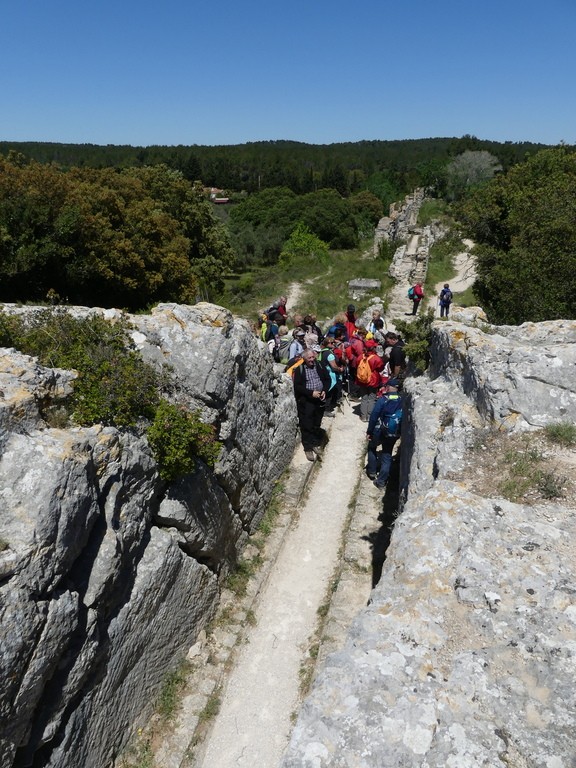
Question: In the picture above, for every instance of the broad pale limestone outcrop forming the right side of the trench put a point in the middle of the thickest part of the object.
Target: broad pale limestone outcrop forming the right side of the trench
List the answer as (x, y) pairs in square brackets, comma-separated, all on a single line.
[(465, 655)]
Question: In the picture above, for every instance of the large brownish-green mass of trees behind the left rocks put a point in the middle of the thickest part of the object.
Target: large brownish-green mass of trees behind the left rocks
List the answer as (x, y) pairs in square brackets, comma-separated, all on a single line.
[(125, 238)]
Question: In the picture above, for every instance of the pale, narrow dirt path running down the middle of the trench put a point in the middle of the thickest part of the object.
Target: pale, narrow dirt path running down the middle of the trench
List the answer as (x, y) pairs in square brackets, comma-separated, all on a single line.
[(263, 690)]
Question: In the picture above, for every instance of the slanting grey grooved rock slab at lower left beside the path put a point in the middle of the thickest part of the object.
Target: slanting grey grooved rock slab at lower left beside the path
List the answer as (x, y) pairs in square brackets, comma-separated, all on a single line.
[(171, 595)]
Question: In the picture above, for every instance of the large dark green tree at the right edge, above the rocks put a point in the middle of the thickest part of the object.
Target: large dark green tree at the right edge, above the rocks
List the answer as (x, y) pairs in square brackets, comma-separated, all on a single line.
[(525, 224)]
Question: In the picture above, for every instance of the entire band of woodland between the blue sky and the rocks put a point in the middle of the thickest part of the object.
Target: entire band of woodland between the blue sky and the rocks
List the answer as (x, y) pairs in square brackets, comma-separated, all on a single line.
[(128, 227)]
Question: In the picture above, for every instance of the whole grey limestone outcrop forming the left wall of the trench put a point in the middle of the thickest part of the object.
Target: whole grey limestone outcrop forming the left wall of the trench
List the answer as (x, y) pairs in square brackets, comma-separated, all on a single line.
[(107, 573)]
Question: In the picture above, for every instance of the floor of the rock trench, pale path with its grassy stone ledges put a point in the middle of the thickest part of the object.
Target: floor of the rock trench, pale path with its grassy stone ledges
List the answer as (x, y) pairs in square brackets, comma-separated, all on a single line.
[(332, 546)]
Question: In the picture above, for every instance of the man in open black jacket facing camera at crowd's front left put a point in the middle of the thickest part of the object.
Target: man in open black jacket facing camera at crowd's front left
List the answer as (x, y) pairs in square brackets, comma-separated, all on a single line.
[(311, 383)]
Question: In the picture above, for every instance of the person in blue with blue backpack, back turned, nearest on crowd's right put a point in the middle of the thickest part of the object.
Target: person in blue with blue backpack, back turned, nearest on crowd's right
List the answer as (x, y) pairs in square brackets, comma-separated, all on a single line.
[(384, 430)]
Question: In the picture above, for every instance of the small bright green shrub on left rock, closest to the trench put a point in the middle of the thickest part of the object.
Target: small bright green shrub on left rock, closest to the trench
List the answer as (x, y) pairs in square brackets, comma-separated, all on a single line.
[(177, 436)]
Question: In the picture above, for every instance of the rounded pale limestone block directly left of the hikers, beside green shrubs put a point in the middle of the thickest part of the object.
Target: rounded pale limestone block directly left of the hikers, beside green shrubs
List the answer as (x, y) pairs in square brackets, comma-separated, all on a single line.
[(222, 369)]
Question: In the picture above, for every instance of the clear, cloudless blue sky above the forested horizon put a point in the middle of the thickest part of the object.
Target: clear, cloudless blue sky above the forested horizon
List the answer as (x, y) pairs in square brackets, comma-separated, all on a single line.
[(184, 72)]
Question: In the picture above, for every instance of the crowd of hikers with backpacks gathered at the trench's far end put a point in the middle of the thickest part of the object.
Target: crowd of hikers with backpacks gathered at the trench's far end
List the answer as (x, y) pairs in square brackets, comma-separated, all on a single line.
[(362, 363)]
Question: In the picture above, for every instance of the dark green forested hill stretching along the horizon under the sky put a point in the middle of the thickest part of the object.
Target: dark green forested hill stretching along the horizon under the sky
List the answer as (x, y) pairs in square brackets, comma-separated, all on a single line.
[(301, 167)]
